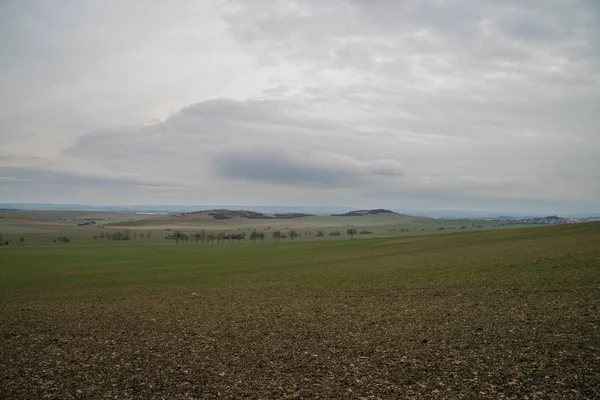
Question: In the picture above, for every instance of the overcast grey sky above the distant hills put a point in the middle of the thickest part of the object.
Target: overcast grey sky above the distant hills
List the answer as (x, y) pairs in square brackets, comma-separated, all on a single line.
[(409, 104)]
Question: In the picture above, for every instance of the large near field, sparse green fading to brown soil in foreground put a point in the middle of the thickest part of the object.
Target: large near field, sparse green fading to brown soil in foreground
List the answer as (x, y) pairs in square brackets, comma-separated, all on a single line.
[(482, 314)]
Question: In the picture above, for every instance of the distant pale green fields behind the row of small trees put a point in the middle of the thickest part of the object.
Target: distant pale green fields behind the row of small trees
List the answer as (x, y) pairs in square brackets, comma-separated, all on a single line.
[(42, 228)]
